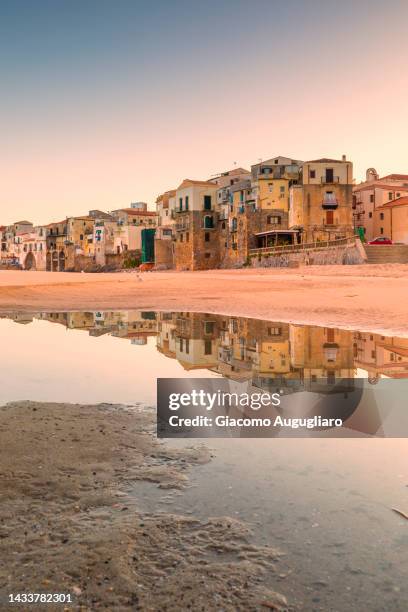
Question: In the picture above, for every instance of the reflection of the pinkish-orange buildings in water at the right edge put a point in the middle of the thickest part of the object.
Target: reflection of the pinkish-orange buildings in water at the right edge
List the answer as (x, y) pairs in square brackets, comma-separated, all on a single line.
[(381, 355)]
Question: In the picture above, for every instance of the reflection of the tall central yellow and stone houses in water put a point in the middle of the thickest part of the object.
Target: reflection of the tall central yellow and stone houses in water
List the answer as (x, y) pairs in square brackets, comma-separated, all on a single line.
[(263, 352)]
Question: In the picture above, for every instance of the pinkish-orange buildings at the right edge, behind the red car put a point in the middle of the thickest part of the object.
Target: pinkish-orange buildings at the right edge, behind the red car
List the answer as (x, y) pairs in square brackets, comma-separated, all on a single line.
[(380, 206)]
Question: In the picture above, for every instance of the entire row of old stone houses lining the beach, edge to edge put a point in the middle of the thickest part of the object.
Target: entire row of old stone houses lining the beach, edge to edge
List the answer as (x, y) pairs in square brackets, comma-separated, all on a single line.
[(221, 222)]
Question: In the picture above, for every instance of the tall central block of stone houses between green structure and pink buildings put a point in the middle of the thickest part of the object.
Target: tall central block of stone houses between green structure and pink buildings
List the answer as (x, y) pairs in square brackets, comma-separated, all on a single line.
[(221, 221)]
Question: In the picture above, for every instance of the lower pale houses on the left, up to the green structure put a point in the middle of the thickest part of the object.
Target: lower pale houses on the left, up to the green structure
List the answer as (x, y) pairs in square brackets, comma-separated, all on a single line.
[(92, 241)]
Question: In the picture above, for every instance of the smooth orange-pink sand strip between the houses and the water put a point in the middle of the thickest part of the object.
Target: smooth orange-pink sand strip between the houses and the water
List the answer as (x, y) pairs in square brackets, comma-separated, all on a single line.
[(365, 298)]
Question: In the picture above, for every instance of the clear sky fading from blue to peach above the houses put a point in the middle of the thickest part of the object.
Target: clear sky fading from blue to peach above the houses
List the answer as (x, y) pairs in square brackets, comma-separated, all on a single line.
[(103, 103)]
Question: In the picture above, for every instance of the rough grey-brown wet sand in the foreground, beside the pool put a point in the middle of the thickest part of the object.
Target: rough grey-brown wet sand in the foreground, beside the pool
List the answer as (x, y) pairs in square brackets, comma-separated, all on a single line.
[(68, 523)]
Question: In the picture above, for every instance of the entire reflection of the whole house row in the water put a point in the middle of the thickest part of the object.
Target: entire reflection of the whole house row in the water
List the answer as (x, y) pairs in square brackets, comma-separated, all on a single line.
[(265, 353)]
